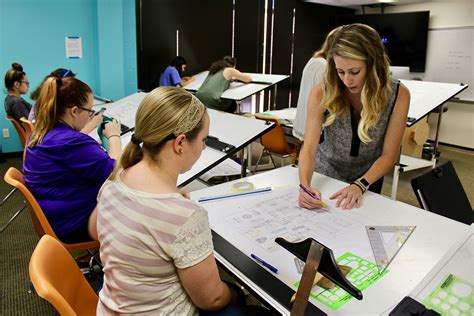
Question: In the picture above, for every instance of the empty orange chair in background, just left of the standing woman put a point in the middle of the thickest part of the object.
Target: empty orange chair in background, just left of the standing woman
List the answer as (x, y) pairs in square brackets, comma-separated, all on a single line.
[(274, 142)]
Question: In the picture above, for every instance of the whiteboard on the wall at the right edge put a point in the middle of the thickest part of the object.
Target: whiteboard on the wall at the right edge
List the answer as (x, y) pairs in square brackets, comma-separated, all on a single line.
[(449, 58)]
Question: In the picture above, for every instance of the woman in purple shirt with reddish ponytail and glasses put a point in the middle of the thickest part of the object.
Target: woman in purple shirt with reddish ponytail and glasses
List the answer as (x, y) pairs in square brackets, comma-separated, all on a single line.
[(64, 168)]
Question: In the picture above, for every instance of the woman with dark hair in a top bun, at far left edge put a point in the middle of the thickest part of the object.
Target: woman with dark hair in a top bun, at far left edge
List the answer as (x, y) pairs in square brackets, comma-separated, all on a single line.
[(17, 84)]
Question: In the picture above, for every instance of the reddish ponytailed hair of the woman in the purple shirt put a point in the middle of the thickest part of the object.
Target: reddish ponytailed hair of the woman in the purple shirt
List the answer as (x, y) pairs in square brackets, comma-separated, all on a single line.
[(56, 95)]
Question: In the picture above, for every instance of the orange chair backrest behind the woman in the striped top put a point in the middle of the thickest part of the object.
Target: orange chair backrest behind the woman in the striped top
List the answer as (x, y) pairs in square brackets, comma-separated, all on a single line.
[(57, 278)]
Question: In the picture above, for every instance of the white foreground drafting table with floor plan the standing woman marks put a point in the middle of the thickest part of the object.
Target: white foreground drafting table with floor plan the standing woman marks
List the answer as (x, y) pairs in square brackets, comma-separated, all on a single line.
[(432, 238)]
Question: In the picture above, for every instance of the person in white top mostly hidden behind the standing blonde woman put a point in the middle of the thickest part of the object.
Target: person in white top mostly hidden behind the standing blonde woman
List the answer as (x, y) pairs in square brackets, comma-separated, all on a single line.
[(313, 73)]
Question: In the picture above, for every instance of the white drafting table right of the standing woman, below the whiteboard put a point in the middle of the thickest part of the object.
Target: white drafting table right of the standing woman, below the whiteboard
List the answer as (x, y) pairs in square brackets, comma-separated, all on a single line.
[(425, 96)]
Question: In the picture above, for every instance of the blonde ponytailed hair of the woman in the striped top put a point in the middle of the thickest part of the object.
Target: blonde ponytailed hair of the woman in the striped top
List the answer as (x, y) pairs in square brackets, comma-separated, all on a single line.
[(164, 113)]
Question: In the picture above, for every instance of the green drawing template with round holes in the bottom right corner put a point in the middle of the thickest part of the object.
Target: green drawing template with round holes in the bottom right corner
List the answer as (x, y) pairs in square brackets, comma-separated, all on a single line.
[(453, 296)]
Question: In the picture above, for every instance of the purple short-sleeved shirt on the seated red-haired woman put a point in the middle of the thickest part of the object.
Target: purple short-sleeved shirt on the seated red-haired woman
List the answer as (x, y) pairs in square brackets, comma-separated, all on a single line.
[(65, 172)]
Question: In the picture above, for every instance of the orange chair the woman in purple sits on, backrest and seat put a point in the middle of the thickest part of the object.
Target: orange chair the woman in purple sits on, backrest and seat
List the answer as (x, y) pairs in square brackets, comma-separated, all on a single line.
[(40, 222)]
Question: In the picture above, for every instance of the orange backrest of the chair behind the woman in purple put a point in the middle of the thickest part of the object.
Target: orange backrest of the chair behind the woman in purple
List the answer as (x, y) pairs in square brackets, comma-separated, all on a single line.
[(15, 178)]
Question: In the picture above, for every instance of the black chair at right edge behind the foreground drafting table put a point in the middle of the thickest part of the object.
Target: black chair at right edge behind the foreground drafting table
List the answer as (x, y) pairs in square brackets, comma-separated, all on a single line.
[(440, 191)]
